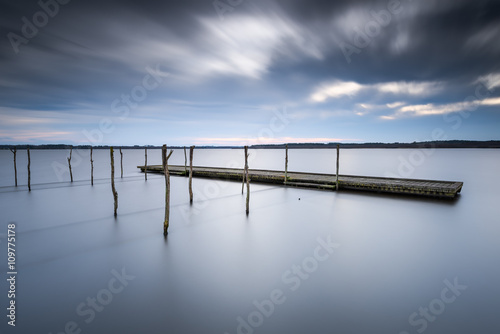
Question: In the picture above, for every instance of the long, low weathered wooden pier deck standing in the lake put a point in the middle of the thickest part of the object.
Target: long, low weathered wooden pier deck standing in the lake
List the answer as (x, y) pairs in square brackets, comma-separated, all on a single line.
[(428, 188)]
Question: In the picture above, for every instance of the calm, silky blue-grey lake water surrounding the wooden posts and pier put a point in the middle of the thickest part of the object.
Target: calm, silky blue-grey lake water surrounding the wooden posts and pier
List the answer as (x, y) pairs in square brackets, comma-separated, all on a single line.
[(303, 261)]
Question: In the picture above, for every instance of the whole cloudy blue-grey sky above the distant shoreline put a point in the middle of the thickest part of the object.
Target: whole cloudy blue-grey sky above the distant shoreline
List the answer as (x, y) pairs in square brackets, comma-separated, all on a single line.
[(235, 72)]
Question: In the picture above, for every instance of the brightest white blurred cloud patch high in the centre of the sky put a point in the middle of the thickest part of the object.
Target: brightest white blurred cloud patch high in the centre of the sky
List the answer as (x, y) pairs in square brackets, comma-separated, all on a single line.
[(244, 46)]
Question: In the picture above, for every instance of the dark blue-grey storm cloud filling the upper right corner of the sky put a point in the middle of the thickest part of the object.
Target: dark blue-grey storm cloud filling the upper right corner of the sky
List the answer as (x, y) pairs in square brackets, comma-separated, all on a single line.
[(424, 40)]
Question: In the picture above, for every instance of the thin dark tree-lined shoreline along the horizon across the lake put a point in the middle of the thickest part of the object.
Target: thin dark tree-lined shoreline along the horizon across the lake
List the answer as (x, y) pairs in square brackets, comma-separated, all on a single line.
[(419, 145)]
